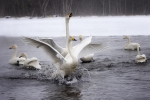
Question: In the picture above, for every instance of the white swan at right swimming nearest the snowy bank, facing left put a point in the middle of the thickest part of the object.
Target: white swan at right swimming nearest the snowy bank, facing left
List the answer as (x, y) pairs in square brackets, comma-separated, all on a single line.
[(130, 46)]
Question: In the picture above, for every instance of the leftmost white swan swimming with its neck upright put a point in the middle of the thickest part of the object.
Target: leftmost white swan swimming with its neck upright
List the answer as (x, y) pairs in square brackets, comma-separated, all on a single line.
[(14, 59)]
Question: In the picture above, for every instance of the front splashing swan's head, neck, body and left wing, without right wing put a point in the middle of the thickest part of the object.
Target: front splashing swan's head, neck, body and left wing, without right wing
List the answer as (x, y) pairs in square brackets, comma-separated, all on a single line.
[(64, 66)]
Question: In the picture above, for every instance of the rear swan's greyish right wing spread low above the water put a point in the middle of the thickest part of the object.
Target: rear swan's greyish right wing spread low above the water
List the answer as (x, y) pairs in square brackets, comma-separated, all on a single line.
[(92, 48)]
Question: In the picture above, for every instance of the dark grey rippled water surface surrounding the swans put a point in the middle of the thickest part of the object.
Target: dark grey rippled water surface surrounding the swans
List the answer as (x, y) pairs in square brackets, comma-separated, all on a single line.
[(114, 75)]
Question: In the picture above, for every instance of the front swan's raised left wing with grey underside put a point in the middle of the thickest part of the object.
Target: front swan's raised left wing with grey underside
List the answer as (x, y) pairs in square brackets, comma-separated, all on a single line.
[(53, 54)]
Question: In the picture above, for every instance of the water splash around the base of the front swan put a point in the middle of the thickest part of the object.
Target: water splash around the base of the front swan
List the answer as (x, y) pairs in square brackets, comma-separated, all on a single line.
[(46, 74)]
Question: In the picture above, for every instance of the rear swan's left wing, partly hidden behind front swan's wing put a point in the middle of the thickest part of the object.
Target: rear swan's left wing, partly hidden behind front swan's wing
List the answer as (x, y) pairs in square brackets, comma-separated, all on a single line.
[(51, 42)]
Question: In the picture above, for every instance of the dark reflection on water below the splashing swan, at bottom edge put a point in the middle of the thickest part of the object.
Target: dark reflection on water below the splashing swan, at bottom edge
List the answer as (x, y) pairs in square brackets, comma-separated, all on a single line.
[(62, 92)]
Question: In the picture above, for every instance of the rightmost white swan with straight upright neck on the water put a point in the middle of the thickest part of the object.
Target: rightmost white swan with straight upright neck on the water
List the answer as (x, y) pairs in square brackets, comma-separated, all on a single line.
[(140, 58)]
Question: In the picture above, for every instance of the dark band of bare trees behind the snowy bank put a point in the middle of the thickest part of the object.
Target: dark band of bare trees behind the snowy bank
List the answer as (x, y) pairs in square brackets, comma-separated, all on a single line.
[(42, 8)]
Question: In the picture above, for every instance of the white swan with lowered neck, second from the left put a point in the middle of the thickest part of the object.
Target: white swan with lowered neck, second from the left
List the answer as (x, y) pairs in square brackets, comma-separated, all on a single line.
[(30, 62)]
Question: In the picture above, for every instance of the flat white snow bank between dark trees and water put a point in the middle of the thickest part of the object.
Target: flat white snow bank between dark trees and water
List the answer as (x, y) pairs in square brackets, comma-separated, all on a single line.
[(95, 26)]
